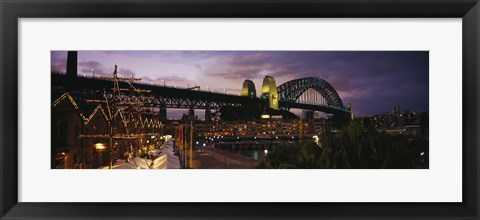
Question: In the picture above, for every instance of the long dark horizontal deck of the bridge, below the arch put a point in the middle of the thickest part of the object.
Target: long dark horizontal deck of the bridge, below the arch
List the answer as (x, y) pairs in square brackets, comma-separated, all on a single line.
[(172, 97)]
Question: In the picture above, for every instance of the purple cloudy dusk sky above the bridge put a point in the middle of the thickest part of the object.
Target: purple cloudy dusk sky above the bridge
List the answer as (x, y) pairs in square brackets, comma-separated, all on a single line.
[(373, 81)]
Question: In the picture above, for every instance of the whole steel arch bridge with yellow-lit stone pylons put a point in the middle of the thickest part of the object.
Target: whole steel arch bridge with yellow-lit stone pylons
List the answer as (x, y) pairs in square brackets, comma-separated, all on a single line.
[(310, 93)]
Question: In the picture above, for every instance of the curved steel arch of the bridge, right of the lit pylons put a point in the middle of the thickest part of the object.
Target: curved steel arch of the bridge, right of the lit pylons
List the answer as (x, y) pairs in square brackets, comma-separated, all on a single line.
[(291, 91)]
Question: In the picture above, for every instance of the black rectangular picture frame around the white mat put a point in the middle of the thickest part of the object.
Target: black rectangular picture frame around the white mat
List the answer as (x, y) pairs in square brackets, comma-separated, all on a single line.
[(12, 10)]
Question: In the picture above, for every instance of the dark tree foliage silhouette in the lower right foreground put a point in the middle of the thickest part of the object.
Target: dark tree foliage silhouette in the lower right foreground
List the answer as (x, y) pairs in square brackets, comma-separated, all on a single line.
[(355, 146)]
